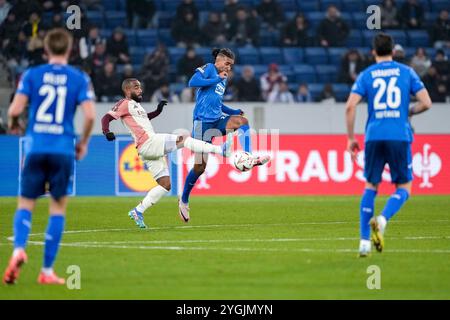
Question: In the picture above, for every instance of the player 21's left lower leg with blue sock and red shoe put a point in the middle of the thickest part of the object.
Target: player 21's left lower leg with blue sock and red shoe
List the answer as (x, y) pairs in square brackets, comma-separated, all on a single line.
[(22, 226)]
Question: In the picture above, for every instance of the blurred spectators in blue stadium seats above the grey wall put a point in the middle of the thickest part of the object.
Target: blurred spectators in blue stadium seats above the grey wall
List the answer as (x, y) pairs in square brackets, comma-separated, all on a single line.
[(290, 51)]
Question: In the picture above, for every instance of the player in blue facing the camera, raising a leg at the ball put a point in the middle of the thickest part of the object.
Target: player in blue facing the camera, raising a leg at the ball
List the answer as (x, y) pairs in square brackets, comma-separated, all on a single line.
[(212, 118)]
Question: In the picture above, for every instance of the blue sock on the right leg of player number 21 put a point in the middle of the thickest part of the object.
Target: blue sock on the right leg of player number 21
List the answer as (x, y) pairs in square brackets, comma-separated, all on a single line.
[(53, 236)]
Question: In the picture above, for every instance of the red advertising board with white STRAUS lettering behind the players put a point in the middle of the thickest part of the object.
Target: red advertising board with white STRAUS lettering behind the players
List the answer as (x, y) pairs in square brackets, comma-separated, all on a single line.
[(319, 164)]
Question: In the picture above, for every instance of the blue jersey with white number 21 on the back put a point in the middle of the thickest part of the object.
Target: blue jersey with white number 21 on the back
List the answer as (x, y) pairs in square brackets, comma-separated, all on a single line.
[(54, 91)]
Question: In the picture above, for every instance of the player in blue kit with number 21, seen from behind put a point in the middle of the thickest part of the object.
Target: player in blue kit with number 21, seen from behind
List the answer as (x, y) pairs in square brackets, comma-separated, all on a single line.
[(52, 92)]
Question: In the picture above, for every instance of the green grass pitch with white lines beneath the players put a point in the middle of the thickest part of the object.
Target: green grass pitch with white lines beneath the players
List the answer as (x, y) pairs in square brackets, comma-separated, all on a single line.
[(237, 248)]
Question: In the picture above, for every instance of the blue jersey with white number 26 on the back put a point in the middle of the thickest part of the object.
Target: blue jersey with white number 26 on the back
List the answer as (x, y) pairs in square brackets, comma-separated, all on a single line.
[(387, 87)]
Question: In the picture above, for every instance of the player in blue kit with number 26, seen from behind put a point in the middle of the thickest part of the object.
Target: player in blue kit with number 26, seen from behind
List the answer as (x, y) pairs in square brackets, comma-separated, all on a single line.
[(387, 86)]
